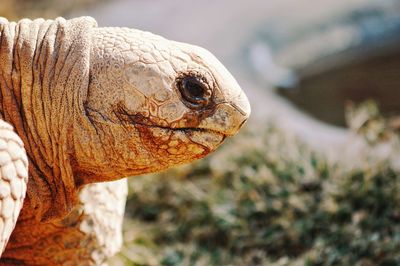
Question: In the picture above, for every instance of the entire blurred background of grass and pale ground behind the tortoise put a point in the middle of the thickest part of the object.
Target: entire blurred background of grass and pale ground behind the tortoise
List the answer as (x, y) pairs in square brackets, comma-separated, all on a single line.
[(313, 179)]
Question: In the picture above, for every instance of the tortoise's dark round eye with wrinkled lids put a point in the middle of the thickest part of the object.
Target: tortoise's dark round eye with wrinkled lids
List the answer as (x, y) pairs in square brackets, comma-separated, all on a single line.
[(194, 91)]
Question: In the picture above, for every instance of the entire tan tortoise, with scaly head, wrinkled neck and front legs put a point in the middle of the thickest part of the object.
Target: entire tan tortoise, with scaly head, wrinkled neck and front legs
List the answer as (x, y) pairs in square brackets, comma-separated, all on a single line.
[(99, 104)]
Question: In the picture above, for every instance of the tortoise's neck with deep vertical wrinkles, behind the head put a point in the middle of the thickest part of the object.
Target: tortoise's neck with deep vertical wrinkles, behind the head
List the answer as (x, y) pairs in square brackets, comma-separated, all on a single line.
[(43, 74)]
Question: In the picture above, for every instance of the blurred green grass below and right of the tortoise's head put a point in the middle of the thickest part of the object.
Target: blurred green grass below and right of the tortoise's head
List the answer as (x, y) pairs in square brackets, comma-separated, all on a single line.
[(265, 198)]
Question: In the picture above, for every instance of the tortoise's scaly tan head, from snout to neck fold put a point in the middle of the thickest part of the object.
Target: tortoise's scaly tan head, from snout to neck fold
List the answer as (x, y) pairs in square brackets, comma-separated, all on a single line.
[(152, 104)]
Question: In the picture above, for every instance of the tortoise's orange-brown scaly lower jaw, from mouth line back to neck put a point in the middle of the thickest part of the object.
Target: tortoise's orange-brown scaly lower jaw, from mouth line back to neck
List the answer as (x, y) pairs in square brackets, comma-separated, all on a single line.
[(128, 145)]
